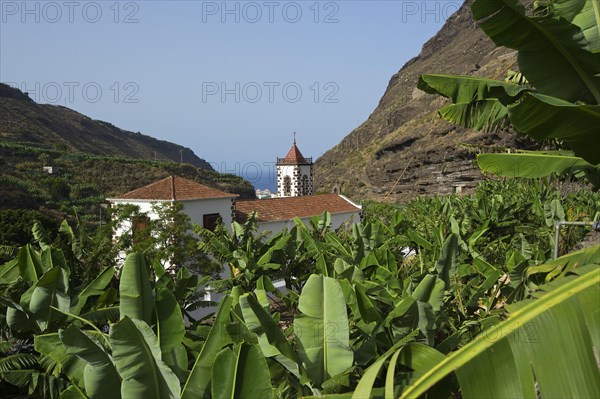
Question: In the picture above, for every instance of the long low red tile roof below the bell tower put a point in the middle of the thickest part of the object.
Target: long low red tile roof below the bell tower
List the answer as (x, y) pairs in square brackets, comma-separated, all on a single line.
[(274, 209)]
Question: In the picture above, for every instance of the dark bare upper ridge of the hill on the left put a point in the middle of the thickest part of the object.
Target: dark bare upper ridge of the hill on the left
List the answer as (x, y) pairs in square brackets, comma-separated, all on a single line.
[(57, 127)]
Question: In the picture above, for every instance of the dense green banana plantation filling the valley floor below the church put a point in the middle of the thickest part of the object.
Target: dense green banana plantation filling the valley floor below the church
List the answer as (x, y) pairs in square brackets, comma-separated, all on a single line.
[(419, 280)]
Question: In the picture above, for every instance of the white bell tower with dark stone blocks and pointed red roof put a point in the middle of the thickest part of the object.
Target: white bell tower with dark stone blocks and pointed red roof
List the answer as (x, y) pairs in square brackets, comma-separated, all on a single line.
[(294, 174)]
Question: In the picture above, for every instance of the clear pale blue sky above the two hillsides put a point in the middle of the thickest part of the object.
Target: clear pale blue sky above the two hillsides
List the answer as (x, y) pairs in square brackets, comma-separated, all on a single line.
[(231, 80)]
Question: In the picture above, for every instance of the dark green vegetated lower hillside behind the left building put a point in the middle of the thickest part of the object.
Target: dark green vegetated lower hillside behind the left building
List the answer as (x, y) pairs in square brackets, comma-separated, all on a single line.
[(80, 182)]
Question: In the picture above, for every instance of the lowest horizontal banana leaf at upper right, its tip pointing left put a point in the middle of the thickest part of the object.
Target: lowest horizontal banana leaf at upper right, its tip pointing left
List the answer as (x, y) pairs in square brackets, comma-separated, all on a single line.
[(534, 164)]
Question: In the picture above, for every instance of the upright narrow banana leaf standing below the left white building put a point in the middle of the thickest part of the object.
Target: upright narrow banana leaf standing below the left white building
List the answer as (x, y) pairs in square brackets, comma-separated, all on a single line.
[(136, 296)]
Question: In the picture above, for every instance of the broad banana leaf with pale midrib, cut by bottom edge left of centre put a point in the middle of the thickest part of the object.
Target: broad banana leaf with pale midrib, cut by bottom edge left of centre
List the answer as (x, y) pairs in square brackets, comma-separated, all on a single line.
[(241, 372)]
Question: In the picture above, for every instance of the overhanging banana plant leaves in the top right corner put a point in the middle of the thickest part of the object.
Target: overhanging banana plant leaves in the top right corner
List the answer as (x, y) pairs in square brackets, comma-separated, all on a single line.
[(558, 55)]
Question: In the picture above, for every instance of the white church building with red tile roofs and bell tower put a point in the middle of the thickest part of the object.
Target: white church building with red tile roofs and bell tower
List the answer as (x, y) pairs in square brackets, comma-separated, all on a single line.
[(206, 206)]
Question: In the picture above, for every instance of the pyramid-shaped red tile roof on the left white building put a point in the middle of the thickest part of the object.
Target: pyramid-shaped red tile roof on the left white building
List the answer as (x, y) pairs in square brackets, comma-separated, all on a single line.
[(175, 188)]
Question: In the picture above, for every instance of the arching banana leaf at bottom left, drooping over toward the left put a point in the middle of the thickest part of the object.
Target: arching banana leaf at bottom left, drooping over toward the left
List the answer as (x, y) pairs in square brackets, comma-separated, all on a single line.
[(100, 376)]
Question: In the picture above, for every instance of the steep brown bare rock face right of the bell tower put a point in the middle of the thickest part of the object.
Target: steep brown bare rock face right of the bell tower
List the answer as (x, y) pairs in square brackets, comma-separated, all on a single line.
[(404, 148)]
